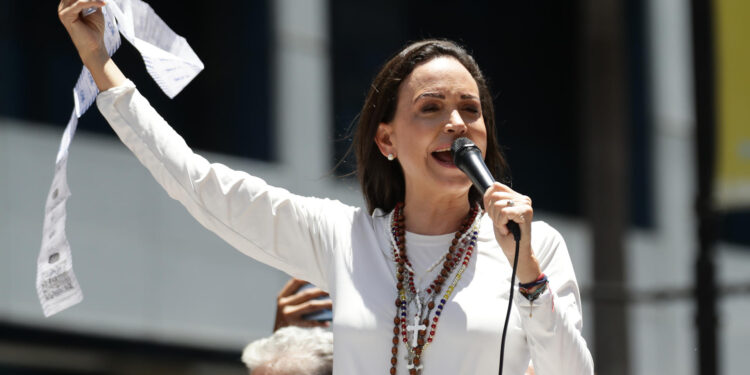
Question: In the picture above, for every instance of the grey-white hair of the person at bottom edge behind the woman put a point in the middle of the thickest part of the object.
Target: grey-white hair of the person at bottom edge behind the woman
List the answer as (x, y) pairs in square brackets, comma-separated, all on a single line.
[(292, 350)]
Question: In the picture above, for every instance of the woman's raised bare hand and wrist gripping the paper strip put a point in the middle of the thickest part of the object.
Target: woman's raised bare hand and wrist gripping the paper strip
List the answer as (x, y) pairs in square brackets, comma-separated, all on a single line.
[(87, 34)]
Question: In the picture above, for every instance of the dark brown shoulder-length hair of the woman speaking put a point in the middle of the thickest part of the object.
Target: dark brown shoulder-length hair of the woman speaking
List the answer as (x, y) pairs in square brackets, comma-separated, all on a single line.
[(382, 181)]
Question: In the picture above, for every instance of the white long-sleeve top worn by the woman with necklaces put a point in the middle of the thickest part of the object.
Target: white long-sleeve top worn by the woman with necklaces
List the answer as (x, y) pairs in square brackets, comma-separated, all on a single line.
[(346, 251)]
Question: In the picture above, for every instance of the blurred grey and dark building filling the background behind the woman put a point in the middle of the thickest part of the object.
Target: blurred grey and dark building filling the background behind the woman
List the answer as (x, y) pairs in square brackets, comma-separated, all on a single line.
[(283, 84)]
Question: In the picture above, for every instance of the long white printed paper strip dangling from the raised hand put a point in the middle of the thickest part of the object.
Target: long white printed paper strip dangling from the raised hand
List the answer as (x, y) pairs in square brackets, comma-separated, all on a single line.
[(172, 64)]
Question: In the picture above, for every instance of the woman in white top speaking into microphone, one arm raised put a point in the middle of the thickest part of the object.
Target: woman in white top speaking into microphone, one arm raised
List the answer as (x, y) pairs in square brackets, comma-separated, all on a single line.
[(420, 277)]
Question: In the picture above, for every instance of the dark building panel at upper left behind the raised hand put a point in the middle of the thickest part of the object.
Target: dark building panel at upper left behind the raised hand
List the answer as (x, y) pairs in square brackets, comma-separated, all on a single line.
[(226, 108)]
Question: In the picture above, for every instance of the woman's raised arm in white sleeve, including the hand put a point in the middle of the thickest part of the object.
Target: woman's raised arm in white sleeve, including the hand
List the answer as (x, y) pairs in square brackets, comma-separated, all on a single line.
[(292, 233)]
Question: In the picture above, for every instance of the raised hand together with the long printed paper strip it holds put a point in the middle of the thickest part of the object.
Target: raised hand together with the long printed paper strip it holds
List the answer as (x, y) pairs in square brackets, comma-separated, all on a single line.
[(96, 35)]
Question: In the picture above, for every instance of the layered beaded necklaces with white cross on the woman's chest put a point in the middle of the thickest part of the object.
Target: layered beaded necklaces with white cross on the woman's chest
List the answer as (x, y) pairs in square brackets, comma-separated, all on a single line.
[(413, 331)]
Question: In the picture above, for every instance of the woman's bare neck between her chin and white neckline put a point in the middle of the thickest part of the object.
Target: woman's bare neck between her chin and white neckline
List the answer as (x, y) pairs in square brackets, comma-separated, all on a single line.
[(435, 215)]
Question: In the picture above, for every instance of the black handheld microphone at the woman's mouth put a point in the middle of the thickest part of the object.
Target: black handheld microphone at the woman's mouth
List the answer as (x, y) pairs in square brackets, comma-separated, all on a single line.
[(468, 158)]
